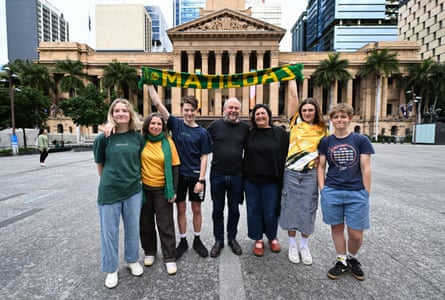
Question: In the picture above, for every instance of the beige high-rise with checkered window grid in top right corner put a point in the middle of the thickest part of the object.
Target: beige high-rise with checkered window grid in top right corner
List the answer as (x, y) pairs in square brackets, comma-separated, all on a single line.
[(424, 21)]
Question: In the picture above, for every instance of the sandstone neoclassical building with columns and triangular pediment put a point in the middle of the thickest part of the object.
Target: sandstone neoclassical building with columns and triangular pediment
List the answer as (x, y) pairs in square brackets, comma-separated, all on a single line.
[(202, 44)]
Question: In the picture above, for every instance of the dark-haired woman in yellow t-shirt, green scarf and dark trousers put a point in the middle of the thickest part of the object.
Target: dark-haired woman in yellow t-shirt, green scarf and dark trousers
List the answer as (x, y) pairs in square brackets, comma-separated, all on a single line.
[(159, 164)]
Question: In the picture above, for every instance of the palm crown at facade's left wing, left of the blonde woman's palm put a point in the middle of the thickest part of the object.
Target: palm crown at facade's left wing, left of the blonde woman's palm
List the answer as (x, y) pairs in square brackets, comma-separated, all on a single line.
[(73, 76)]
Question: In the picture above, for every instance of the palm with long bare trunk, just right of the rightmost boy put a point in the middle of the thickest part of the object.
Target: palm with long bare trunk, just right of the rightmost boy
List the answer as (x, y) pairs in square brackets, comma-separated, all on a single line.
[(379, 63)]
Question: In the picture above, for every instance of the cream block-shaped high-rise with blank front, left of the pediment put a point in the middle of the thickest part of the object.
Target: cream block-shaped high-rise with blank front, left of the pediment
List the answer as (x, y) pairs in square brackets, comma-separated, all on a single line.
[(123, 27)]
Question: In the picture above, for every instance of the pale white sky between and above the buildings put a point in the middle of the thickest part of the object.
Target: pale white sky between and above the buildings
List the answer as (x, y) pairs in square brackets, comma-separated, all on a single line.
[(78, 13)]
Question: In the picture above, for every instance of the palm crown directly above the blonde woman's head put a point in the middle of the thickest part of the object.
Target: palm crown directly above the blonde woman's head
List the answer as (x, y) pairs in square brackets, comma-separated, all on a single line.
[(120, 77)]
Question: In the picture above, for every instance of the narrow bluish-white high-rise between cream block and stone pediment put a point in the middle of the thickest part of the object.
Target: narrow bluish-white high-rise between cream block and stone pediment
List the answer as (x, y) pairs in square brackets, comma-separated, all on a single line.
[(159, 39)]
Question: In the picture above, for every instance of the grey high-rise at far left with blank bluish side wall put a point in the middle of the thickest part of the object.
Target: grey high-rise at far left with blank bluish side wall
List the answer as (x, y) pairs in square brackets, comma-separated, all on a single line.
[(29, 22)]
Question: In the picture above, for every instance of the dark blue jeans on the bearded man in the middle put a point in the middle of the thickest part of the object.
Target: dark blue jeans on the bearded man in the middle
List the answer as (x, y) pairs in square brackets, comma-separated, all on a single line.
[(219, 186)]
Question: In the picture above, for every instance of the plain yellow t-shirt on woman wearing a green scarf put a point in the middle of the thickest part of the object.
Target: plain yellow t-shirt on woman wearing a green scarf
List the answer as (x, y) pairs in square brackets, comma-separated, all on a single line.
[(152, 163)]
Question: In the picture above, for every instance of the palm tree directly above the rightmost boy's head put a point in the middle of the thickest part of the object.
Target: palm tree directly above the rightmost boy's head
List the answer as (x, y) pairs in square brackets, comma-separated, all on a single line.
[(331, 72)]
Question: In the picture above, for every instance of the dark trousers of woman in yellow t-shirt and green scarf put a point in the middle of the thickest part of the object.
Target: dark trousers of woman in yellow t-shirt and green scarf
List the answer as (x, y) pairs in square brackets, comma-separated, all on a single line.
[(156, 206)]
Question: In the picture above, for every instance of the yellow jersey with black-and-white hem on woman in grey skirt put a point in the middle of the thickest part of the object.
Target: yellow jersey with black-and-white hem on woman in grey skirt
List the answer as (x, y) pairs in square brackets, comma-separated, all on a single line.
[(303, 144)]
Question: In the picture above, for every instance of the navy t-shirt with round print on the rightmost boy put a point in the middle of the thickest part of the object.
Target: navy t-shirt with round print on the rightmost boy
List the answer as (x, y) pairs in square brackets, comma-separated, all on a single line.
[(343, 157)]
